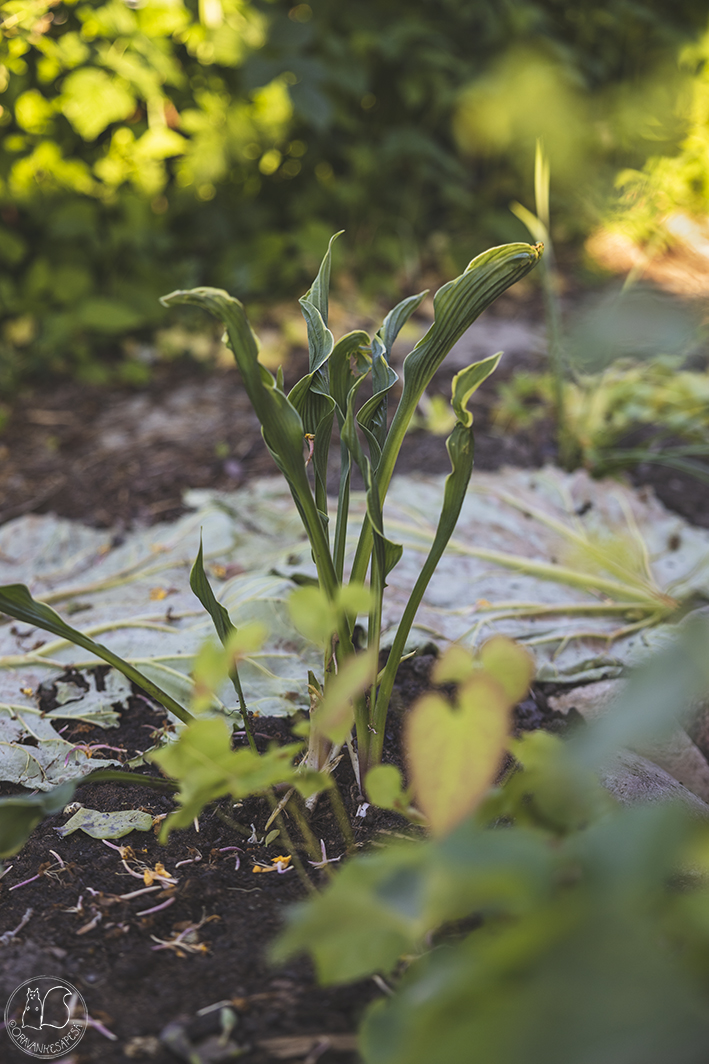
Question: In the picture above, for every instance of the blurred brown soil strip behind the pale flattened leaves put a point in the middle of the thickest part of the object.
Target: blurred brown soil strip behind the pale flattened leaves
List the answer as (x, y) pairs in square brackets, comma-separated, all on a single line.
[(116, 458)]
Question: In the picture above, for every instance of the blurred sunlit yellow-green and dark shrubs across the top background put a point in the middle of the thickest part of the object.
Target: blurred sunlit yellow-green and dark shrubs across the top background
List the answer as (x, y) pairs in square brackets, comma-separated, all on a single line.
[(155, 145)]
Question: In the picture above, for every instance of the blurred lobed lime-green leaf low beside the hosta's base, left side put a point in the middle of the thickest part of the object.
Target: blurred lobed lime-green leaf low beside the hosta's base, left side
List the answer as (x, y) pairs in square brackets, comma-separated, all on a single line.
[(206, 768)]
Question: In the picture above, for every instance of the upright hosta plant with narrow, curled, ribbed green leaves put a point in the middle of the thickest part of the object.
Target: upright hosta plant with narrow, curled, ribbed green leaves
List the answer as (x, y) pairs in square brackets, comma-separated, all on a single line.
[(299, 428)]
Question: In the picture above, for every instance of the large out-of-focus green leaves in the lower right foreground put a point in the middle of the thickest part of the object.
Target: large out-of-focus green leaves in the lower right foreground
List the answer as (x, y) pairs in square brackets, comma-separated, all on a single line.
[(555, 927)]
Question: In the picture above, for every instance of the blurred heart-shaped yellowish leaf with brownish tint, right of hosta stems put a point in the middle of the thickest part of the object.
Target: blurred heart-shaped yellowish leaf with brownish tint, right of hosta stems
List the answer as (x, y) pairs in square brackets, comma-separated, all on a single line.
[(454, 752)]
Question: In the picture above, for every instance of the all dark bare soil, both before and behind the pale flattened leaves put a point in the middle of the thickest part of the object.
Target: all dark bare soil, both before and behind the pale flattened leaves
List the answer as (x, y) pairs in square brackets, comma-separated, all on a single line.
[(122, 458)]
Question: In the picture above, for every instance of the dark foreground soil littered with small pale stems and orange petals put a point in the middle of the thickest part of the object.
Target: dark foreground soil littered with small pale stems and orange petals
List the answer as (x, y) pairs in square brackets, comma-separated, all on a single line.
[(135, 989)]
